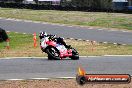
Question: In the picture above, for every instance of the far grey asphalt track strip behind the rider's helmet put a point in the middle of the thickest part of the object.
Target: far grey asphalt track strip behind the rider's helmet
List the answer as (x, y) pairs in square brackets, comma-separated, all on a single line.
[(99, 35)]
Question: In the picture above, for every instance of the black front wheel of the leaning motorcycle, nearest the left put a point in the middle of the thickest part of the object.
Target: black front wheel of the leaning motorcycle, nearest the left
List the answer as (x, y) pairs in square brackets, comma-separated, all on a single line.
[(53, 53)]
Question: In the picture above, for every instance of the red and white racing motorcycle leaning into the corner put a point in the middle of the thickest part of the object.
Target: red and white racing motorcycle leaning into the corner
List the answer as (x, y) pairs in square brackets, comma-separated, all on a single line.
[(57, 51)]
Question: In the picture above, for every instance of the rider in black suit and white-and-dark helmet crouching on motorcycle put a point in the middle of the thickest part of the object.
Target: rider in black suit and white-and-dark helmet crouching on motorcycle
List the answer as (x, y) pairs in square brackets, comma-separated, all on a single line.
[(59, 40)]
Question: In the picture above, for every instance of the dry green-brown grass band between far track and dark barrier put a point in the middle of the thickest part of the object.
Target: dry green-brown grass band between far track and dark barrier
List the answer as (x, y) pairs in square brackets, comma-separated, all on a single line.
[(99, 19)]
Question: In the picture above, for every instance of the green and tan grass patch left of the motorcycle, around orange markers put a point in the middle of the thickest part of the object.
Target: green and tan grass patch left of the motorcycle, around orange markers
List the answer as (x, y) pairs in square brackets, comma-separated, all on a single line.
[(20, 45)]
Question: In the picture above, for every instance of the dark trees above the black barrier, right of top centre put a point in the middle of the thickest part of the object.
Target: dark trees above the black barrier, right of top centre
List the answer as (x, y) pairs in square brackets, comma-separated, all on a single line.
[(96, 4)]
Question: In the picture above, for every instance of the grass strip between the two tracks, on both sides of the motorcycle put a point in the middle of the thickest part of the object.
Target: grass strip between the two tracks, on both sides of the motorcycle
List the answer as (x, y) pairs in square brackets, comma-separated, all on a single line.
[(22, 45)]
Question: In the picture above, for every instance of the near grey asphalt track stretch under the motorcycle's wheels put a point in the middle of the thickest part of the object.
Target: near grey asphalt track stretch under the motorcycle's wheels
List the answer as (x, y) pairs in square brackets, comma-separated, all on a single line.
[(40, 68)]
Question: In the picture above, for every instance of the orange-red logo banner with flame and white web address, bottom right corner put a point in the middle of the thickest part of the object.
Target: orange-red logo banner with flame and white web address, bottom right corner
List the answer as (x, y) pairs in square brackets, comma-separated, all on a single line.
[(83, 78)]
